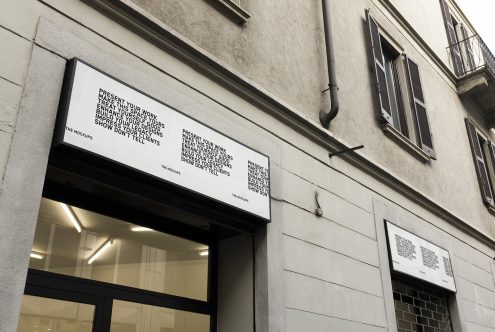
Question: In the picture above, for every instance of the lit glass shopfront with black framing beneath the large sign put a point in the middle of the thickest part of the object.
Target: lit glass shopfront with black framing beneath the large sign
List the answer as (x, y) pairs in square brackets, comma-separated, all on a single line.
[(93, 272)]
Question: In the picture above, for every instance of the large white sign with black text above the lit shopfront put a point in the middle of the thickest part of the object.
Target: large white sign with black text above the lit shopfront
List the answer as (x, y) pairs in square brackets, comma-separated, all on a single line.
[(110, 119)]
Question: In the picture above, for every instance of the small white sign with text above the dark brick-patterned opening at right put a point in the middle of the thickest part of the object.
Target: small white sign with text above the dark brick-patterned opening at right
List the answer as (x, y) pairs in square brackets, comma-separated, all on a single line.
[(419, 258)]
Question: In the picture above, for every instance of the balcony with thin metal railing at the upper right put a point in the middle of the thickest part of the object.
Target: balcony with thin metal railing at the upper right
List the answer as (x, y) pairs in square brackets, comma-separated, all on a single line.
[(474, 65)]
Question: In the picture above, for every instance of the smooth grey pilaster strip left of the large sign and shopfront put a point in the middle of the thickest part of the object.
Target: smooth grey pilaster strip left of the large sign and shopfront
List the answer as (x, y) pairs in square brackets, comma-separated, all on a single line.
[(24, 177)]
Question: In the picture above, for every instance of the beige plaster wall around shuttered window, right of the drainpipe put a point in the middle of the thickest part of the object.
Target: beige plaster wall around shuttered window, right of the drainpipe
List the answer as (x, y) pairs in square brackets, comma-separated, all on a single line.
[(451, 179)]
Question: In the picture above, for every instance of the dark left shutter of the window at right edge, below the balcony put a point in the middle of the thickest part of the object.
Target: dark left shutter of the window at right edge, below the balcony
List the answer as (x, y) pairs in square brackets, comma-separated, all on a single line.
[(479, 163)]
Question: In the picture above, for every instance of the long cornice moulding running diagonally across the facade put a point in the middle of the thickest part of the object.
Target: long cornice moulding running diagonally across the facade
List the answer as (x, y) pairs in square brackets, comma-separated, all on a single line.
[(135, 19)]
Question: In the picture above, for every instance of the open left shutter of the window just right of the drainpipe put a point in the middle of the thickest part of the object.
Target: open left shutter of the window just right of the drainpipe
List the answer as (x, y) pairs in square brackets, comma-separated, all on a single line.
[(379, 69)]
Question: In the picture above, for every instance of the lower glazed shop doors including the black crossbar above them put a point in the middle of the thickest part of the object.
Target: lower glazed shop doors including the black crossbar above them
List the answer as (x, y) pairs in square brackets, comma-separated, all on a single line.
[(52, 303)]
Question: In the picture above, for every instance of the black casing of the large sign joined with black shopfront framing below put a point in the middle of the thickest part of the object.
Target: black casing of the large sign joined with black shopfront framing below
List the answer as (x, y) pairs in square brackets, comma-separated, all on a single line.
[(95, 183)]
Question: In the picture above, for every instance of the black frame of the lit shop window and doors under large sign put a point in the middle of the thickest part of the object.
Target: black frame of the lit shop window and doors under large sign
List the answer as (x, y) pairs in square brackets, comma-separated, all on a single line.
[(72, 288)]
